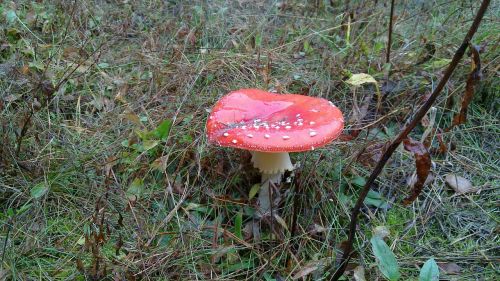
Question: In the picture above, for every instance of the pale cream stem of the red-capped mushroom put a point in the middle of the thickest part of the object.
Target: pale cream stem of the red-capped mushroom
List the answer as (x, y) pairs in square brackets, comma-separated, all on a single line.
[(272, 166)]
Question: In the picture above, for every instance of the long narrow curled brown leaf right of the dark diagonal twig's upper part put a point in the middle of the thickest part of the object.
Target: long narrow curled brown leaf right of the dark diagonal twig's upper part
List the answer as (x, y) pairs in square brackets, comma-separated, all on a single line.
[(472, 79)]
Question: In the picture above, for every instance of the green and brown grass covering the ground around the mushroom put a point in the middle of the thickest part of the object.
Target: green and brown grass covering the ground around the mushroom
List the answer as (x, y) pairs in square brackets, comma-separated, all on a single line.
[(120, 201)]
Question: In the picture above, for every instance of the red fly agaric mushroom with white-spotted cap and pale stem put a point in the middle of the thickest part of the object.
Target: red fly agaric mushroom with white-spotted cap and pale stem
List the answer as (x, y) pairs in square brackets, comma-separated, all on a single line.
[(270, 126)]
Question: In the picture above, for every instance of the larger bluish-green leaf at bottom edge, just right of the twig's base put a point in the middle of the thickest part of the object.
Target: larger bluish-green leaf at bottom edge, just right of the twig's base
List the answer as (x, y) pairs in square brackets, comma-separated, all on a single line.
[(386, 260)]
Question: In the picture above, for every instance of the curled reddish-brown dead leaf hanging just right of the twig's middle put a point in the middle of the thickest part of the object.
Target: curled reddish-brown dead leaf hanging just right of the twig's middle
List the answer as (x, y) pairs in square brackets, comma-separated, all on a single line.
[(423, 165)]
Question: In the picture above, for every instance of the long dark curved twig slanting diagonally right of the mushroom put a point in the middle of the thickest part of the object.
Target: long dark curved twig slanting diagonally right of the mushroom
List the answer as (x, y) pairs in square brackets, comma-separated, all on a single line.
[(404, 133)]
